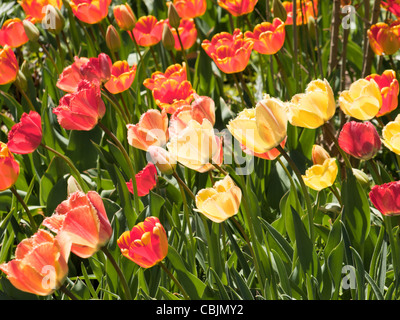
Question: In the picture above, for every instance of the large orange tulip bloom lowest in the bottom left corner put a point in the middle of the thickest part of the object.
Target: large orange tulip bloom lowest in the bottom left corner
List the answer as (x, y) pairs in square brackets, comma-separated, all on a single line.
[(40, 265)]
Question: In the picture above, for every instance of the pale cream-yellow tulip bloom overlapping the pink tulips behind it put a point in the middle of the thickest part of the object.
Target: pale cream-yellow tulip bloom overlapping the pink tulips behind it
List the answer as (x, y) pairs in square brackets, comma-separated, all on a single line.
[(197, 146)]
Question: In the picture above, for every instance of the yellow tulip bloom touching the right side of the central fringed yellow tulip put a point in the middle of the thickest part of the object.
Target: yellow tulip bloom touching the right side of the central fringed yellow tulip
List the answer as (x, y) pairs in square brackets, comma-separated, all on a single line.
[(314, 107)]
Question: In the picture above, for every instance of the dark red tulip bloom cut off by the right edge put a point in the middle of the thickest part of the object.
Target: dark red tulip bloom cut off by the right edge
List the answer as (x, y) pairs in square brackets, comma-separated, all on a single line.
[(386, 198)]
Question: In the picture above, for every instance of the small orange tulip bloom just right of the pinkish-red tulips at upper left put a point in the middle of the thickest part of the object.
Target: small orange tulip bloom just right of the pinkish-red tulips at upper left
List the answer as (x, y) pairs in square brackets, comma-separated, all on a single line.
[(122, 77)]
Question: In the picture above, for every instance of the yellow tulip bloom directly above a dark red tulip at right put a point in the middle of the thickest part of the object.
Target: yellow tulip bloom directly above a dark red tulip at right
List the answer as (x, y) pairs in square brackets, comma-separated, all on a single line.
[(362, 101)]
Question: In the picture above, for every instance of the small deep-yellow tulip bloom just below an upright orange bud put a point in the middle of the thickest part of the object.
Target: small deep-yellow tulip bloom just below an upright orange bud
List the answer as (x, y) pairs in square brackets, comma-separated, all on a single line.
[(321, 176)]
